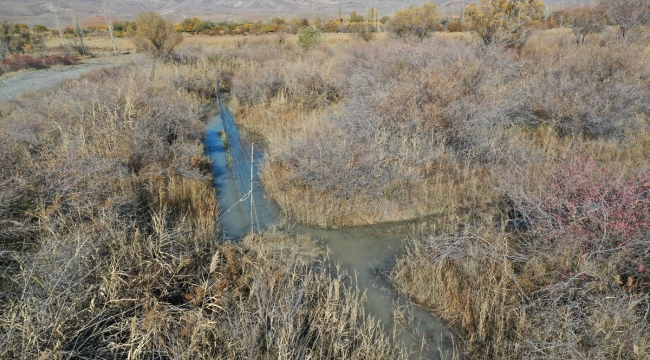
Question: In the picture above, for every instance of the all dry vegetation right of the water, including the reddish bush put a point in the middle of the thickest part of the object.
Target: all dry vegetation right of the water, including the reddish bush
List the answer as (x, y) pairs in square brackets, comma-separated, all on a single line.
[(534, 158)]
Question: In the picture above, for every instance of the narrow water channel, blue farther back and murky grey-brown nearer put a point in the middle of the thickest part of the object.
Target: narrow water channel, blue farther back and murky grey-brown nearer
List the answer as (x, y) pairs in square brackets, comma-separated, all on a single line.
[(364, 252)]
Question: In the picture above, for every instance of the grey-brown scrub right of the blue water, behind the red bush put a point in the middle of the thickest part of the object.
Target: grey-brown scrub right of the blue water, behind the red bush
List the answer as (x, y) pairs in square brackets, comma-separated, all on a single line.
[(414, 128)]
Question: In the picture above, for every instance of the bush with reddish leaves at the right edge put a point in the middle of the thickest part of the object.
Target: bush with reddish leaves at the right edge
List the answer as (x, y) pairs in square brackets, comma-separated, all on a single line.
[(594, 210)]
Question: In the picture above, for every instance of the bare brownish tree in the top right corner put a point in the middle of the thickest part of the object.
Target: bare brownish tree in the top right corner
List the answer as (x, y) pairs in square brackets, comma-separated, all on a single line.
[(627, 15)]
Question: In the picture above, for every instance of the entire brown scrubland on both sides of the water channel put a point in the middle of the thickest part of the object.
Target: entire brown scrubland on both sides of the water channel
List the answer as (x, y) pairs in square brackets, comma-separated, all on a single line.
[(529, 163)]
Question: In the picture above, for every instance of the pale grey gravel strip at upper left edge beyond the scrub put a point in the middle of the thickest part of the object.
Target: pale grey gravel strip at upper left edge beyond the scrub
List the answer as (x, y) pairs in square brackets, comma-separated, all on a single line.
[(13, 85)]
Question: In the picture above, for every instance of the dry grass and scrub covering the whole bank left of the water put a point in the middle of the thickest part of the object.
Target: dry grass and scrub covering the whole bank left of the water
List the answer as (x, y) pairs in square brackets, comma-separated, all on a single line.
[(108, 245)]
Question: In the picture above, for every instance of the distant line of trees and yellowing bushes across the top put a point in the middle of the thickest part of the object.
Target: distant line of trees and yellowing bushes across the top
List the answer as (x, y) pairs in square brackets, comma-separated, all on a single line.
[(504, 22)]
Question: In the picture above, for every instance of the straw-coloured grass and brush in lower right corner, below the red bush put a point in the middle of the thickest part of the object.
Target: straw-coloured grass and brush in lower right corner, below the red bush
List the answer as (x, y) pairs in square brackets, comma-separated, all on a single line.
[(497, 289)]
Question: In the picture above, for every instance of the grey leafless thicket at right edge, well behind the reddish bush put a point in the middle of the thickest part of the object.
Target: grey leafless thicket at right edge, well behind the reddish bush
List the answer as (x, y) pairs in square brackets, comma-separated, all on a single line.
[(593, 91)]
